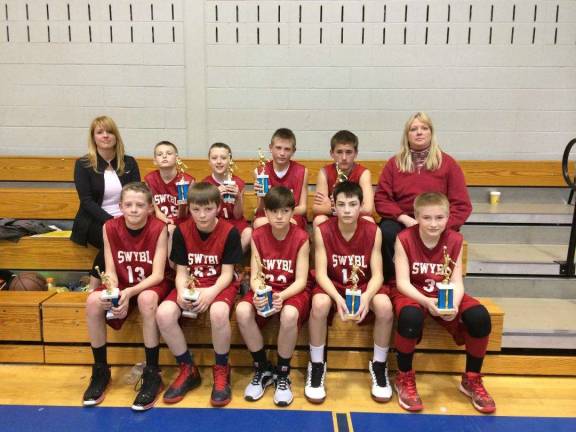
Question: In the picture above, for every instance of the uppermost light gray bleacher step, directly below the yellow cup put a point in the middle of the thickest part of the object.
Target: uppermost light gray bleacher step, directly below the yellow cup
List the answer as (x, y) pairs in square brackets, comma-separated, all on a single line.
[(542, 213)]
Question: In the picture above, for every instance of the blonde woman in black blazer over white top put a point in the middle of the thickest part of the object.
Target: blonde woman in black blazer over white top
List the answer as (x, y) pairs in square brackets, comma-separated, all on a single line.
[(99, 177)]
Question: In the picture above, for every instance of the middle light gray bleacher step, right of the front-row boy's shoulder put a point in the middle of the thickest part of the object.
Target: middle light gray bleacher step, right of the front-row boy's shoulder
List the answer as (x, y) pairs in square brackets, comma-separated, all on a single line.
[(518, 259)]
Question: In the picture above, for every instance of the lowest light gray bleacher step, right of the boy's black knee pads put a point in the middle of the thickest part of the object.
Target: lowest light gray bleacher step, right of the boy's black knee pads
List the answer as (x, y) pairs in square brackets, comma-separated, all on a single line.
[(538, 323)]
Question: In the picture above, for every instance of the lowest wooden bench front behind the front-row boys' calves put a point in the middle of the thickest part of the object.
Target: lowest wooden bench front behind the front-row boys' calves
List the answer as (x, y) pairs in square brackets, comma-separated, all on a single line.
[(64, 321)]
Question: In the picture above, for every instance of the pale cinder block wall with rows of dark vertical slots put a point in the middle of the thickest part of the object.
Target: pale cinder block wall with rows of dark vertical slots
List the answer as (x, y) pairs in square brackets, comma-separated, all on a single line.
[(498, 77)]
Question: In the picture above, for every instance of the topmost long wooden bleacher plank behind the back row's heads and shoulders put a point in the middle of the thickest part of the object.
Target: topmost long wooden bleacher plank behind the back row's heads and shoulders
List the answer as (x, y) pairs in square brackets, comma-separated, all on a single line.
[(477, 172)]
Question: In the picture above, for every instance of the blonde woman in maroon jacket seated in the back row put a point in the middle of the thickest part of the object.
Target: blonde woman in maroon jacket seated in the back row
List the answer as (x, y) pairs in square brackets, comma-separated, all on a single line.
[(419, 167)]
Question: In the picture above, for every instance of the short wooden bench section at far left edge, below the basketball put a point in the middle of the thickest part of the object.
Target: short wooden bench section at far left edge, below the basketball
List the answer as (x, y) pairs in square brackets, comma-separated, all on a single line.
[(20, 318)]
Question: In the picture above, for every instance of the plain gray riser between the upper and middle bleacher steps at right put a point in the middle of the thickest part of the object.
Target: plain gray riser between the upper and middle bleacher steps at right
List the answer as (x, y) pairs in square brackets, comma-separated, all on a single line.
[(516, 234)]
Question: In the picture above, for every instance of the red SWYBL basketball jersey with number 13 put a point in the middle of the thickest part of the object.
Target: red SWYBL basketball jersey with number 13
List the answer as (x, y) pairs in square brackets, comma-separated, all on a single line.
[(133, 255)]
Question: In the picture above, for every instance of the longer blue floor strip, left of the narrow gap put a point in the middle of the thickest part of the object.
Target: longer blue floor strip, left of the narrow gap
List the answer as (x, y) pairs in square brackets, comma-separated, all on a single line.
[(20, 418)]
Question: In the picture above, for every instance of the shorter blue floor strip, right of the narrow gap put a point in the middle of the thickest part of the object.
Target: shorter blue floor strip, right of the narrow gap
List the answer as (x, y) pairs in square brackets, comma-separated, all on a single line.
[(370, 422)]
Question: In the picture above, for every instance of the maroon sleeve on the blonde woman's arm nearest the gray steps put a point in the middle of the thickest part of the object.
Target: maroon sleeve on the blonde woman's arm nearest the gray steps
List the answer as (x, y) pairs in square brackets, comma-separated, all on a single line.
[(457, 193)]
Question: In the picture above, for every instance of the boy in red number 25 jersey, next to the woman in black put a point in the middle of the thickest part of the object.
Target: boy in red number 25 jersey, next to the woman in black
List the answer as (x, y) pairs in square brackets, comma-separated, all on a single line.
[(162, 183)]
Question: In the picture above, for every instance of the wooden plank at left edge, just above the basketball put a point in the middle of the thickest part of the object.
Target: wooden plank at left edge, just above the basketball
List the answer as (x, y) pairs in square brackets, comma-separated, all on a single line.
[(45, 253)]
